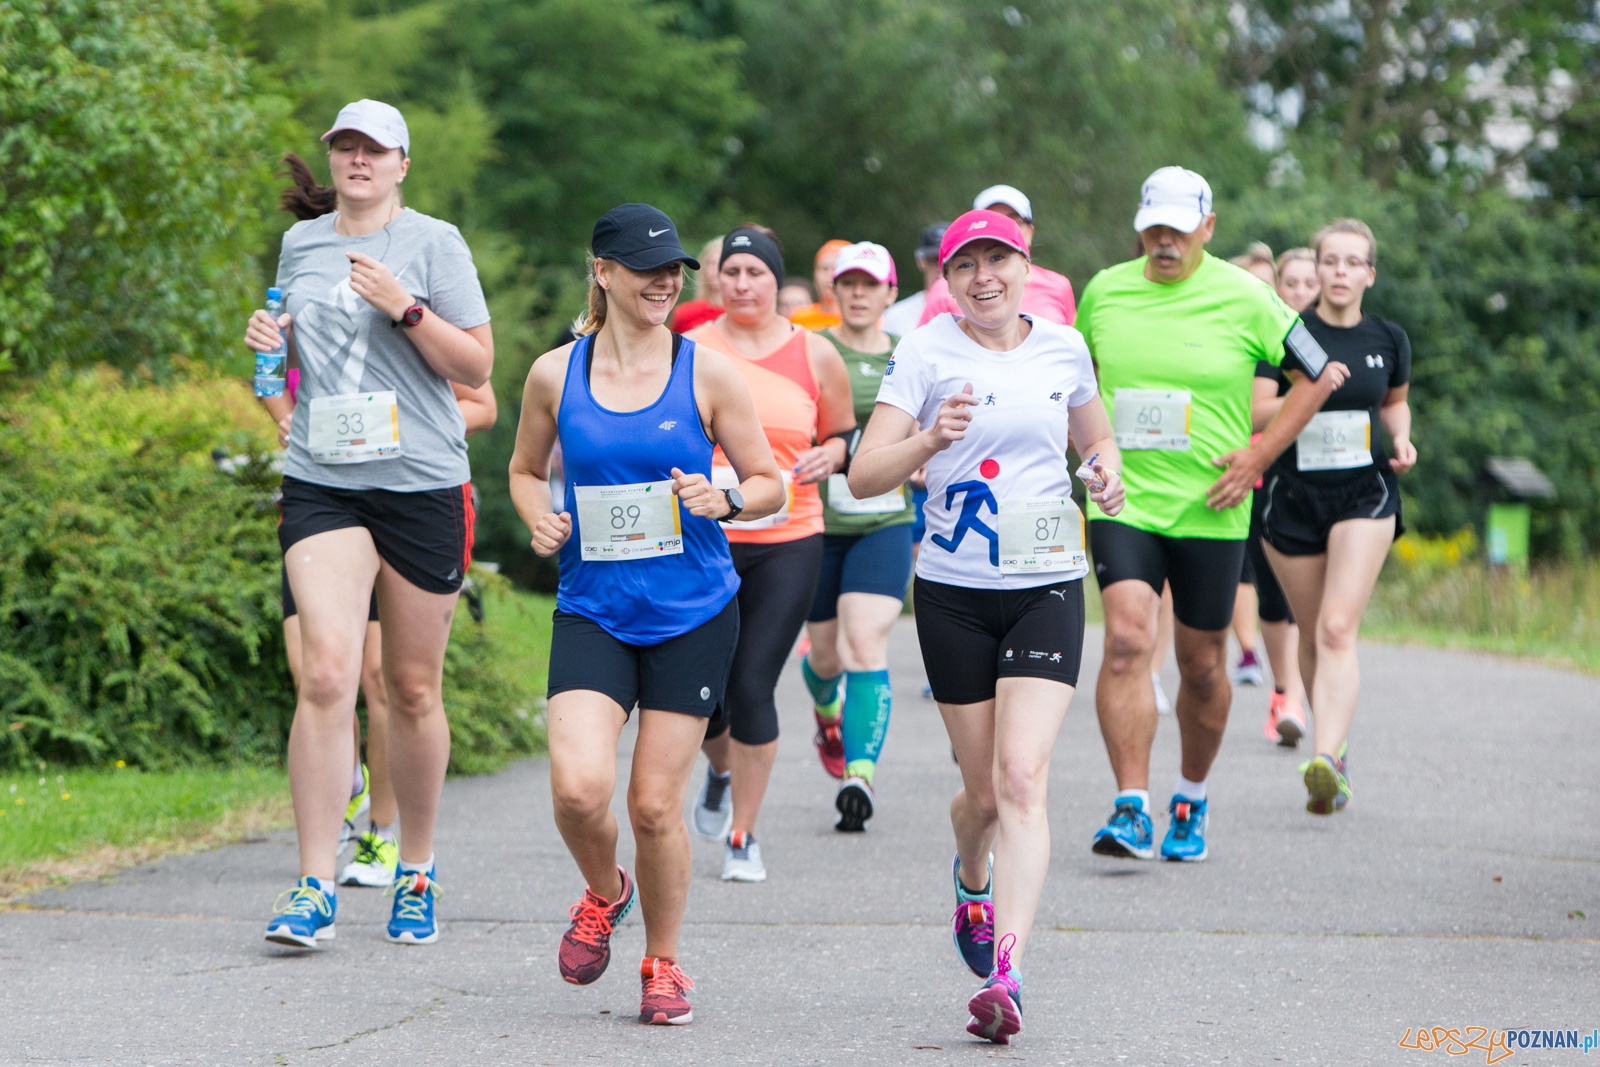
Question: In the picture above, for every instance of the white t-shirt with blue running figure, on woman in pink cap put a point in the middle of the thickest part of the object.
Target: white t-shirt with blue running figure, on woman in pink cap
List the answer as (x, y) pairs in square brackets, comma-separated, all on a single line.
[(1015, 447)]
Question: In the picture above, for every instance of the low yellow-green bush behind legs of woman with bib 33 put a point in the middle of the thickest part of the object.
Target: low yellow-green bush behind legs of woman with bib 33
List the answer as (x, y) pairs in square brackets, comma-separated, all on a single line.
[(140, 593)]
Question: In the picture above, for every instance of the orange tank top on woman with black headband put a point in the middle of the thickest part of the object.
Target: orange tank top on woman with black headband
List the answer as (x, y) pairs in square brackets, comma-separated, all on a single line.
[(785, 391)]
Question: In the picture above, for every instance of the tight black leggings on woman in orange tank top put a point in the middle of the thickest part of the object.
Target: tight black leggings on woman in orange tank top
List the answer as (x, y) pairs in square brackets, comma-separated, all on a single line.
[(777, 586)]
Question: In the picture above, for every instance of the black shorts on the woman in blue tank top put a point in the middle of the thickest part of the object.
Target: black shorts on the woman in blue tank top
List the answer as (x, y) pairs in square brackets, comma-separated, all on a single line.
[(686, 674)]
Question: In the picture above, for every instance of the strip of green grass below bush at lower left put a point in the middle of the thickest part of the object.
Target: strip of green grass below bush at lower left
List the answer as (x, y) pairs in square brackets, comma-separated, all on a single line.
[(68, 823)]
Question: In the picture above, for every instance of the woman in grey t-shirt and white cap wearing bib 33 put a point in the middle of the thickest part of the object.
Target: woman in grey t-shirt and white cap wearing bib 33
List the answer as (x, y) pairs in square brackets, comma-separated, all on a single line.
[(385, 313)]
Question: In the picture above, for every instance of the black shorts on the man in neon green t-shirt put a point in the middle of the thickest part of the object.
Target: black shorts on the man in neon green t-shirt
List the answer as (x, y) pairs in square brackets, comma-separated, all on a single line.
[(1204, 572)]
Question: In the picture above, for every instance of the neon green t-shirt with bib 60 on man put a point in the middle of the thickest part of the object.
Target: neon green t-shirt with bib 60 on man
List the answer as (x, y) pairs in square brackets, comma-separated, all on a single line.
[(1156, 343)]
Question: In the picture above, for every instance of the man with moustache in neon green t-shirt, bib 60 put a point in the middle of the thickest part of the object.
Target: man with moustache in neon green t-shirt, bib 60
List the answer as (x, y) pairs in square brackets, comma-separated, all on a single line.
[(1177, 337)]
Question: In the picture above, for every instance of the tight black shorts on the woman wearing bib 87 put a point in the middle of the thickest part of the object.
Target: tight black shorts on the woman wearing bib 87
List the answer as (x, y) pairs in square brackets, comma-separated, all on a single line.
[(974, 637)]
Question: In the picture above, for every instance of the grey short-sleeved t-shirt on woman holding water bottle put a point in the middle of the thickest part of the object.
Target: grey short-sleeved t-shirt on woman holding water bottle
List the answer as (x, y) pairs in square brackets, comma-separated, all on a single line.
[(350, 346)]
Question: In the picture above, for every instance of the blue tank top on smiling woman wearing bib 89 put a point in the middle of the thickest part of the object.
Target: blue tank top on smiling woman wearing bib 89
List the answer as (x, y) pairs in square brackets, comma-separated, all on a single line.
[(650, 601)]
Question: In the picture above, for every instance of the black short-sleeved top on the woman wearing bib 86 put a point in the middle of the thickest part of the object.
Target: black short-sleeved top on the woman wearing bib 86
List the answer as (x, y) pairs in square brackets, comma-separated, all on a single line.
[(1380, 359)]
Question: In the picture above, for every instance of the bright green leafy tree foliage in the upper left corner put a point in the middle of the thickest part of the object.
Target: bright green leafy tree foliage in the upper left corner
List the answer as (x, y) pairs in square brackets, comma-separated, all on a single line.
[(134, 182)]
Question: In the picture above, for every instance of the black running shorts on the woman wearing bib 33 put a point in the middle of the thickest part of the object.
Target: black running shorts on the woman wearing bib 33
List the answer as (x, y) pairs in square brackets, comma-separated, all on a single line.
[(426, 537)]
